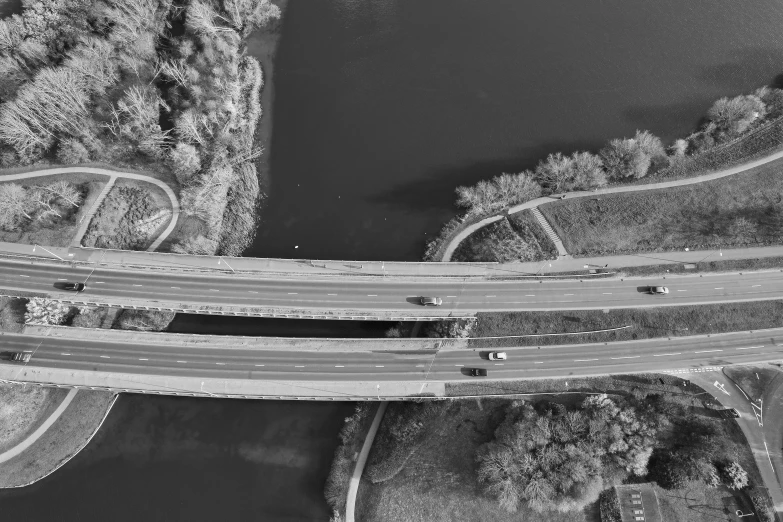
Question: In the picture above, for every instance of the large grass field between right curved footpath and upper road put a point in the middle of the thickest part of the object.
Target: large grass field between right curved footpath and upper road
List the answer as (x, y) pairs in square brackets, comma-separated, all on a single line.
[(741, 210)]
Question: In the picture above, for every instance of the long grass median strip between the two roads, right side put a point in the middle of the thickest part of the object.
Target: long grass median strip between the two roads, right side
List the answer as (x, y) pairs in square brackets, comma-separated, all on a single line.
[(646, 323)]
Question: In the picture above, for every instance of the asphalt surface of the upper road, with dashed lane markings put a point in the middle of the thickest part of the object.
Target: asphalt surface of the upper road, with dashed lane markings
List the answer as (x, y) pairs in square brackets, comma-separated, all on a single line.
[(178, 290)]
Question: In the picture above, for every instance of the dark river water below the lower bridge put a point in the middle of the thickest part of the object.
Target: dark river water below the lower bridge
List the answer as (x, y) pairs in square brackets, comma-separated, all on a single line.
[(185, 459)]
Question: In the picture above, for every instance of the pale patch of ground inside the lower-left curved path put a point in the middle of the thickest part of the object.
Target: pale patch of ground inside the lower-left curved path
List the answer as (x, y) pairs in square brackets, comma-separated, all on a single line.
[(23, 409)]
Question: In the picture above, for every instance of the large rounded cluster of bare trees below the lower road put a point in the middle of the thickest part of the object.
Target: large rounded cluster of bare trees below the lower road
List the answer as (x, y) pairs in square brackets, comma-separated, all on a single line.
[(557, 459)]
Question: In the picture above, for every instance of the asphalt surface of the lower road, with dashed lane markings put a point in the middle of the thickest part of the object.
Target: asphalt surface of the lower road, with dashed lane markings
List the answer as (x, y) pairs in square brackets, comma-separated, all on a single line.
[(205, 361)]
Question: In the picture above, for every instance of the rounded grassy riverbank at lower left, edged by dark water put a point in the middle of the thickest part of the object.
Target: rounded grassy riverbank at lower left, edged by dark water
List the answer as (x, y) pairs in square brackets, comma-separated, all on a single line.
[(69, 433)]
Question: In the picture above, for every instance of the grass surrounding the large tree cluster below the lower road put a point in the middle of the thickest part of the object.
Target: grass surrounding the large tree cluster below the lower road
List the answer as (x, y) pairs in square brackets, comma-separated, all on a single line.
[(438, 482)]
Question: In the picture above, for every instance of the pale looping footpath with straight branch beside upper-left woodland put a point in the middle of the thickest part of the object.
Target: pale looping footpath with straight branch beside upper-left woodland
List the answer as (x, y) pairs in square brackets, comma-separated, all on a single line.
[(113, 175)]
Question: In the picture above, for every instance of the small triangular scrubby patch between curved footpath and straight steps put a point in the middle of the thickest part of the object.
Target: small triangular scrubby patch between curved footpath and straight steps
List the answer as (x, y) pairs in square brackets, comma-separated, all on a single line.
[(517, 237)]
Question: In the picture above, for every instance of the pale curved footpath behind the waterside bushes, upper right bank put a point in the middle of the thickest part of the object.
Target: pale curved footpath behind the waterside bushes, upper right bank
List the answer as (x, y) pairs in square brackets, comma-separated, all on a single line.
[(534, 203)]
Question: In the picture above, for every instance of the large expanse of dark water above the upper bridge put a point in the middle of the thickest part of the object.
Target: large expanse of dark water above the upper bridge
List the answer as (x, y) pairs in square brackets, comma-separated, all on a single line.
[(383, 107)]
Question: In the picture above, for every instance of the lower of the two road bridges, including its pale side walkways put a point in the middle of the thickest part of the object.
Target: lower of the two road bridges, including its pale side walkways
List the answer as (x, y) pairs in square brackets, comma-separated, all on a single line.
[(335, 369)]
